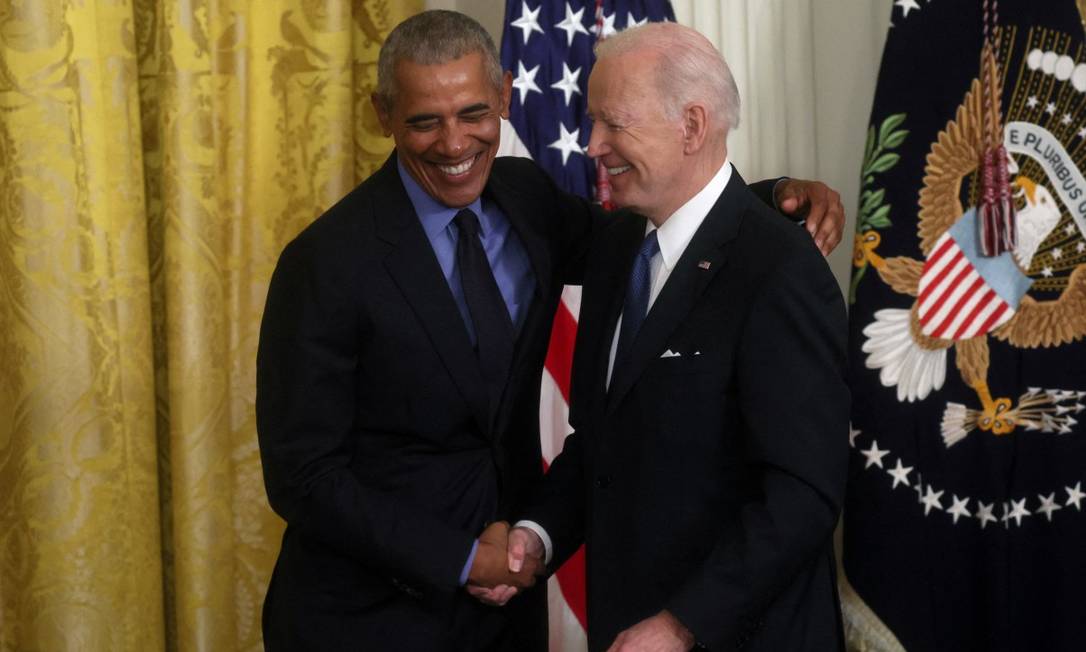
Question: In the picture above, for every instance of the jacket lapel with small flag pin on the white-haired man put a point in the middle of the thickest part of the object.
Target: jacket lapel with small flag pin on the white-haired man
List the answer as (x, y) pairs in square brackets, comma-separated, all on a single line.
[(704, 258)]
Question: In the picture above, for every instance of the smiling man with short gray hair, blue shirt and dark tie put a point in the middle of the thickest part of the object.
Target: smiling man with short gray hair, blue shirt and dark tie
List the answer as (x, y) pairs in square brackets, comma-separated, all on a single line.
[(399, 370)]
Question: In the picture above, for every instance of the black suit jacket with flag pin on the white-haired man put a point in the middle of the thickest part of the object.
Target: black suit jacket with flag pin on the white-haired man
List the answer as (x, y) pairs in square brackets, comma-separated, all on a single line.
[(709, 479)]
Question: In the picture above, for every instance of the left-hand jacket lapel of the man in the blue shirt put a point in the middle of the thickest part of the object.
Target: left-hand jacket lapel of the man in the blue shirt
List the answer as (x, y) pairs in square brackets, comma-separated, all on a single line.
[(414, 269)]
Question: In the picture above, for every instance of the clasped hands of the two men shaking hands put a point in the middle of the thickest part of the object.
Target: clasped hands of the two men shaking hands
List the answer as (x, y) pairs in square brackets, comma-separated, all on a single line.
[(507, 562)]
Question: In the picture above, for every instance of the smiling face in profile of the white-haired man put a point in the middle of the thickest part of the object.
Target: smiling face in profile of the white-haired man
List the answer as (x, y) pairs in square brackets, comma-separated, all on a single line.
[(641, 147)]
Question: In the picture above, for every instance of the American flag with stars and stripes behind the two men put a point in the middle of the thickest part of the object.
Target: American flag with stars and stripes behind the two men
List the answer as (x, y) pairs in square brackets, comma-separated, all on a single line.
[(548, 46)]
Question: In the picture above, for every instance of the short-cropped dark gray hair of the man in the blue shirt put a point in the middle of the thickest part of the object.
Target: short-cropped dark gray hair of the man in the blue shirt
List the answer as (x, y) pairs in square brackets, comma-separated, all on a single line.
[(431, 39)]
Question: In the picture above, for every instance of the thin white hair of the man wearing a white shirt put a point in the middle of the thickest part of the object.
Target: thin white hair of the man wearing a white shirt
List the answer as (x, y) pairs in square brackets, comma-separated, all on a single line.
[(690, 69)]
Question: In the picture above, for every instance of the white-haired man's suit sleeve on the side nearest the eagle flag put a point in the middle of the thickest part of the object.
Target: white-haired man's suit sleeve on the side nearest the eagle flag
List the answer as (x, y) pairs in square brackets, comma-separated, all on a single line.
[(794, 405)]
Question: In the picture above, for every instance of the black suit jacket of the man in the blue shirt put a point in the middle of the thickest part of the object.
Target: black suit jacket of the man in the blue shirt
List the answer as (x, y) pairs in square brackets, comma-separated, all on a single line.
[(382, 448)]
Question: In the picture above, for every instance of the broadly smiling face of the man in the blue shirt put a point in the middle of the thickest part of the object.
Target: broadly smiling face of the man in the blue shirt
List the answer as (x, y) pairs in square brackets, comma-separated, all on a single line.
[(445, 120)]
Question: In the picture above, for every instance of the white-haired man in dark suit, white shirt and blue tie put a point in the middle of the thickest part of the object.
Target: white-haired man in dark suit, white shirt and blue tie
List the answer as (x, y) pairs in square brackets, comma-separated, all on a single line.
[(708, 468)]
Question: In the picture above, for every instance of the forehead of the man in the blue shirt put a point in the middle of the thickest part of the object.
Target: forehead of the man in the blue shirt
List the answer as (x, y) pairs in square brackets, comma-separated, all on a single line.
[(439, 86)]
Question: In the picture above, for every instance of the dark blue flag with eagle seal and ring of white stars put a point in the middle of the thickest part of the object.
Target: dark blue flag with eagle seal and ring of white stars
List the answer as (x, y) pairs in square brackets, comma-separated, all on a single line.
[(965, 524)]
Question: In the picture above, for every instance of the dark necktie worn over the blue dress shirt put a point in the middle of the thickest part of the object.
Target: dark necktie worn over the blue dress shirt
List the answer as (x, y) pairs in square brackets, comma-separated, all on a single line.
[(494, 329)]
